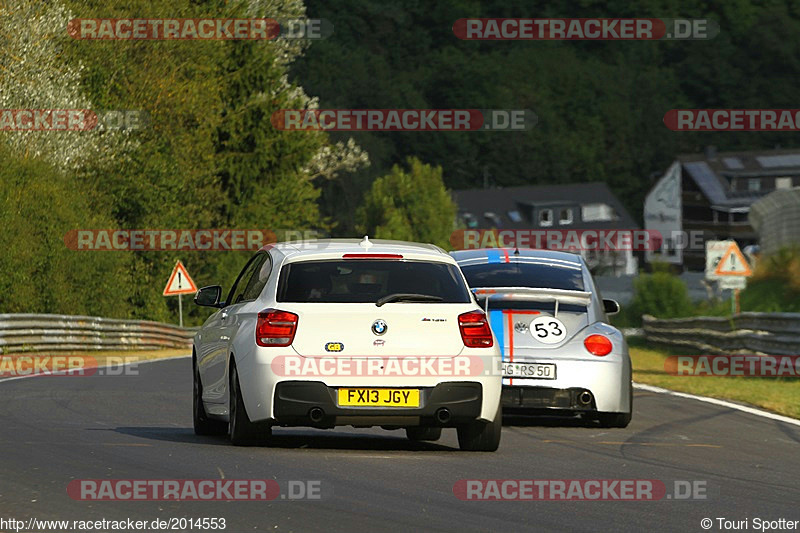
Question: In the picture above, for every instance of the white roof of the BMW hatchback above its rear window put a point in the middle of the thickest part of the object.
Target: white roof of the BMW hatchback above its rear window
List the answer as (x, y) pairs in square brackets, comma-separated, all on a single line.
[(335, 248)]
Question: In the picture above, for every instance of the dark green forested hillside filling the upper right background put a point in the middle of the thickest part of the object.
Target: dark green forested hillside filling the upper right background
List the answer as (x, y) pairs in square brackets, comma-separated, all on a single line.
[(600, 104)]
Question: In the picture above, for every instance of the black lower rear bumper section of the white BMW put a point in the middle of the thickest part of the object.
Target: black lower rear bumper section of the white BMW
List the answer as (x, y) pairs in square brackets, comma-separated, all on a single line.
[(294, 400)]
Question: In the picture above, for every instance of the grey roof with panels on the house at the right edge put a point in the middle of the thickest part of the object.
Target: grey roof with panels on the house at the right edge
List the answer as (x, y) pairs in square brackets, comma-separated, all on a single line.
[(713, 172)]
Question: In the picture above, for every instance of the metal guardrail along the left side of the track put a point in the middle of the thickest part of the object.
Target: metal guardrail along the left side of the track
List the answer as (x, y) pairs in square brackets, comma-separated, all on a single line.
[(66, 333)]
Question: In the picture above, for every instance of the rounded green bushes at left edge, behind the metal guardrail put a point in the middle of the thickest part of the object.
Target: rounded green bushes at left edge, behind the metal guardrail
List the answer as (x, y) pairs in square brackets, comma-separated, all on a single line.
[(39, 204)]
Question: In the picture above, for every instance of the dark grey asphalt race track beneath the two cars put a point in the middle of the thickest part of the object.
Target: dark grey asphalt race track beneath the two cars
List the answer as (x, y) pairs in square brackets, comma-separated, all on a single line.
[(56, 429)]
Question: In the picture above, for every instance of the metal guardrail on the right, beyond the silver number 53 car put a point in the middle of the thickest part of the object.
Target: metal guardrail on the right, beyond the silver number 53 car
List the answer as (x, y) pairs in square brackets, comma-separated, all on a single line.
[(745, 333)]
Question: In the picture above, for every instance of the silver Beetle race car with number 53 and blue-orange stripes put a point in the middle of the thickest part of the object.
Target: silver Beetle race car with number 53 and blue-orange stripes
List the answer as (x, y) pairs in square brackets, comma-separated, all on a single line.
[(560, 355)]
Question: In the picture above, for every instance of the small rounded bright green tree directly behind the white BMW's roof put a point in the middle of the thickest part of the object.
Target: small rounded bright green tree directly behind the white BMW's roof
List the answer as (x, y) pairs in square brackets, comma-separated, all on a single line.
[(411, 205)]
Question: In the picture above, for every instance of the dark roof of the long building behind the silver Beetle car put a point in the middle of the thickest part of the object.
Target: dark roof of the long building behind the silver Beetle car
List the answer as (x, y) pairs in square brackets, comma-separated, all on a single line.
[(501, 201)]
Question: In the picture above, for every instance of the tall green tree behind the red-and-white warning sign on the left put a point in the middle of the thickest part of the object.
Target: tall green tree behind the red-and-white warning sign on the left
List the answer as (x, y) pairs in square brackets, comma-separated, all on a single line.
[(210, 156)]
